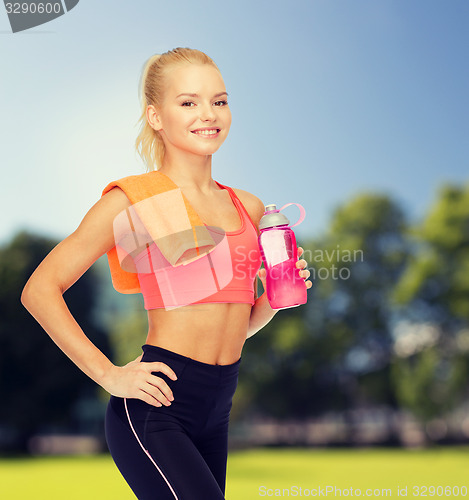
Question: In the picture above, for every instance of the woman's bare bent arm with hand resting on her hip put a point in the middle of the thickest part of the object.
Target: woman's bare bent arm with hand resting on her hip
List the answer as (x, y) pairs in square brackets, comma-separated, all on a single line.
[(43, 298)]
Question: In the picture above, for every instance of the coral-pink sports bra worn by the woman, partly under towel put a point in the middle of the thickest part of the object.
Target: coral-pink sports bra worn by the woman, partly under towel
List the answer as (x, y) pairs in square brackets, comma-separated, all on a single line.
[(225, 274)]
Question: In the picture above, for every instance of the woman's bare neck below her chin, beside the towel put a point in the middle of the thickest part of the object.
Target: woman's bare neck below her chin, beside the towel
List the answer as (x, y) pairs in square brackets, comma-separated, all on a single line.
[(189, 171)]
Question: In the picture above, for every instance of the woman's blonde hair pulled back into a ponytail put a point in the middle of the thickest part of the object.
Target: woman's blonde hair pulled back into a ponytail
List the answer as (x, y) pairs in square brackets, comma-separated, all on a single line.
[(149, 143)]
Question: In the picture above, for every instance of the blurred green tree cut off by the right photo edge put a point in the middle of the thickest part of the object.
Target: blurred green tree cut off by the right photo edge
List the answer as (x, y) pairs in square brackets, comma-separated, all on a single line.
[(431, 369)]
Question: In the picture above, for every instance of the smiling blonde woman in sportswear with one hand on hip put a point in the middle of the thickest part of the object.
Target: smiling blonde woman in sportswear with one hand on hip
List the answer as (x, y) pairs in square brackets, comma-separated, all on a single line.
[(167, 418)]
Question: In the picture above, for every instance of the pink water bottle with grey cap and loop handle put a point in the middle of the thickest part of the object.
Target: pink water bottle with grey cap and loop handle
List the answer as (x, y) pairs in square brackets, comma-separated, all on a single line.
[(284, 286)]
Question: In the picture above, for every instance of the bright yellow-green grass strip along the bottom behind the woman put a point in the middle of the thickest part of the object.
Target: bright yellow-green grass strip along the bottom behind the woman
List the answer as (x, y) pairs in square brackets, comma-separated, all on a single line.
[(279, 473)]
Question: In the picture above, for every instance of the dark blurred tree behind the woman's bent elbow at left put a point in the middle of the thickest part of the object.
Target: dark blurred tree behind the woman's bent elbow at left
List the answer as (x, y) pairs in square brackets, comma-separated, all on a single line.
[(40, 385)]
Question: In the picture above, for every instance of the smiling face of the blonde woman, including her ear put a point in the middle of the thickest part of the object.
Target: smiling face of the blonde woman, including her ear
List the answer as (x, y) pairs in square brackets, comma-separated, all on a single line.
[(194, 116)]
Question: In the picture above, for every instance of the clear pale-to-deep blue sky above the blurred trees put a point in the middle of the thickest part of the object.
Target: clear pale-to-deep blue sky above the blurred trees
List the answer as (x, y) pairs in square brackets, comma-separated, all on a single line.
[(329, 98)]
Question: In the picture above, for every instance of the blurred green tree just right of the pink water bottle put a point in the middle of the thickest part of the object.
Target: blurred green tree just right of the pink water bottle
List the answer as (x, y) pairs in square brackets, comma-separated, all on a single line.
[(334, 352)]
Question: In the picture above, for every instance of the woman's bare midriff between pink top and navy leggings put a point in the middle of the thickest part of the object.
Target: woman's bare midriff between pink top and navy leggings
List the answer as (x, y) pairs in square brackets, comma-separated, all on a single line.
[(211, 333)]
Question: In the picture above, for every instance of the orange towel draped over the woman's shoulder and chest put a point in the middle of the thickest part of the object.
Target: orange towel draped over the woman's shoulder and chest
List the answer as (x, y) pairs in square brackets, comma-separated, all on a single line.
[(159, 213)]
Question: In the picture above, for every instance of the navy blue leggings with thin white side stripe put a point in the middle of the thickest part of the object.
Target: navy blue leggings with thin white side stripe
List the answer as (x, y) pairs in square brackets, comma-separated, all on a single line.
[(177, 451)]
